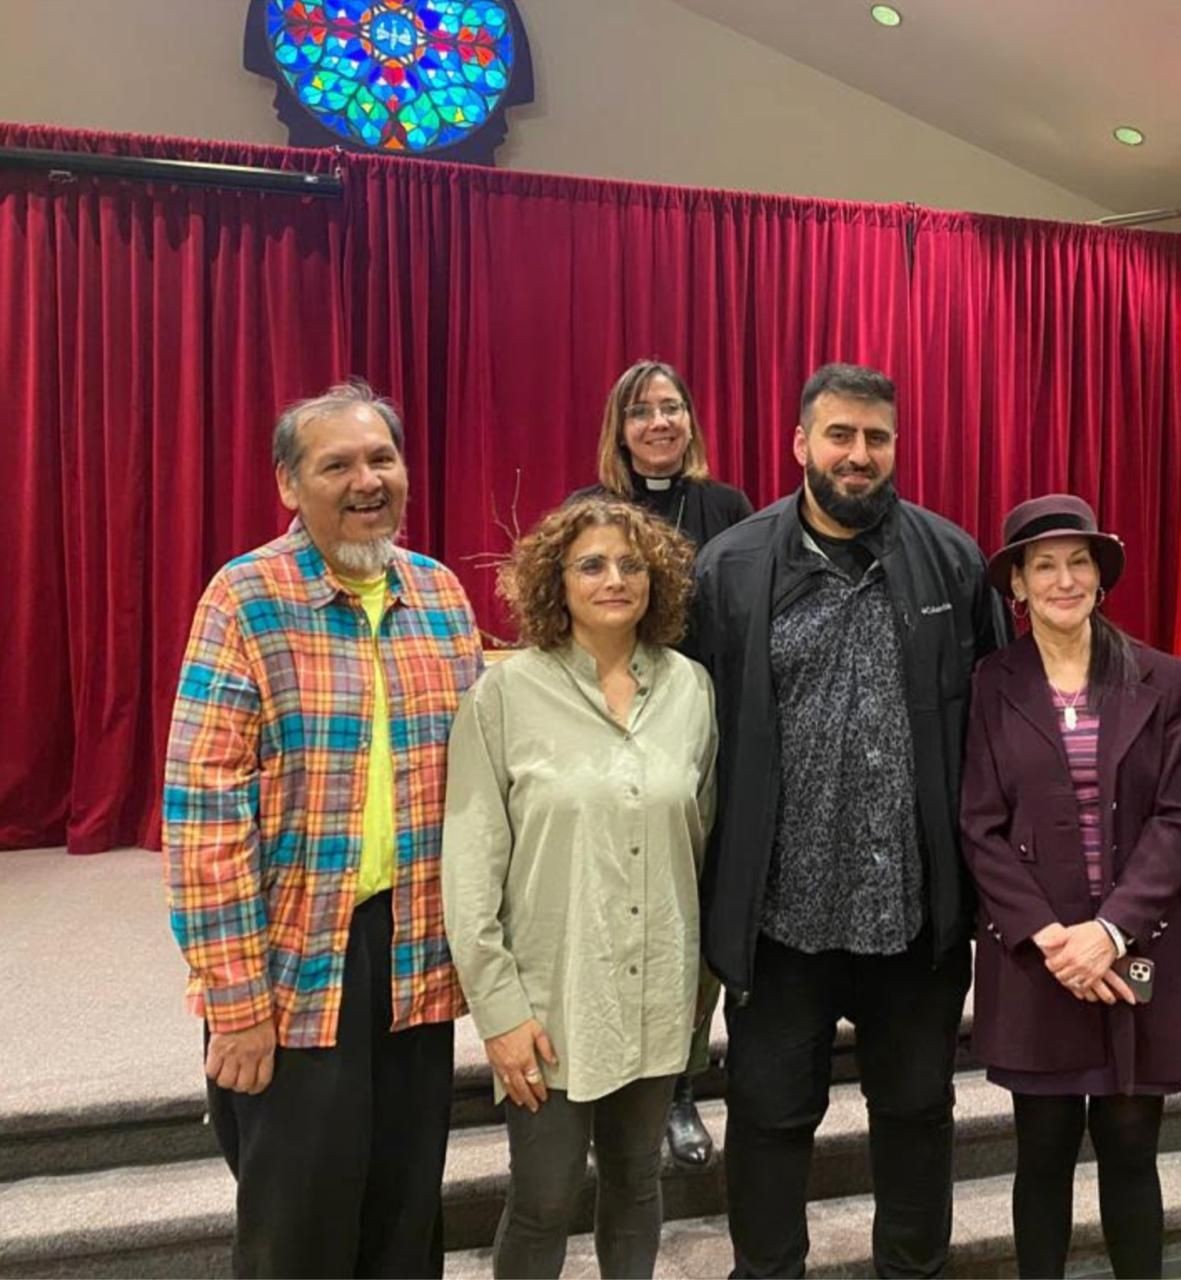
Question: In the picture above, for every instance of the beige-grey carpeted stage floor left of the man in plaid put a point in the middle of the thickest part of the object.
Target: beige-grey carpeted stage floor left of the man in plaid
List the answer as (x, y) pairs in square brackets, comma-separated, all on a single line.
[(93, 986)]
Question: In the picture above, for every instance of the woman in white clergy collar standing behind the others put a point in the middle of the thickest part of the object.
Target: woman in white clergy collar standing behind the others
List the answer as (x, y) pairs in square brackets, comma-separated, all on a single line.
[(652, 452)]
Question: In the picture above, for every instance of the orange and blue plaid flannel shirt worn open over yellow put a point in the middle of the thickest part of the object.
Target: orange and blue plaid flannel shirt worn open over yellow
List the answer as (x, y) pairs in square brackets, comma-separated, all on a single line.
[(266, 787)]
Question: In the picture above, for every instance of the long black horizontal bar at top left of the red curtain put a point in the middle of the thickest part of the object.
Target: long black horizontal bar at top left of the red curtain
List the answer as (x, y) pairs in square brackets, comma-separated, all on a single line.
[(67, 164)]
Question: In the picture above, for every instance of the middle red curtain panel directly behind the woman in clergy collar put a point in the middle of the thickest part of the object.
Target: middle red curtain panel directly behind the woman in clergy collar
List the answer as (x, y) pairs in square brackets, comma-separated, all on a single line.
[(501, 308)]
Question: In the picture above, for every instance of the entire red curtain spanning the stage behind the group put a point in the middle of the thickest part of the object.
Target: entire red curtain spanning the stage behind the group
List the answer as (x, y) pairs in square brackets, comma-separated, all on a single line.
[(149, 335)]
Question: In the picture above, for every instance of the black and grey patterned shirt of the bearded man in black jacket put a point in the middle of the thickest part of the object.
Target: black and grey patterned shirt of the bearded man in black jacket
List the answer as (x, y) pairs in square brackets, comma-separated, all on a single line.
[(846, 870)]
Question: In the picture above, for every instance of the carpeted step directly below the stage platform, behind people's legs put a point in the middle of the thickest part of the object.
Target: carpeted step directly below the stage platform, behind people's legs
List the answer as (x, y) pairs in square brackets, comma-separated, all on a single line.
[(130, 1222)]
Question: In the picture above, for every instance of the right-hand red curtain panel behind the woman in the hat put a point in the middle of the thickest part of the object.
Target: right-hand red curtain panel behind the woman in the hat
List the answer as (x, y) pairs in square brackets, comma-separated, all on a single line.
[(1047, 358)]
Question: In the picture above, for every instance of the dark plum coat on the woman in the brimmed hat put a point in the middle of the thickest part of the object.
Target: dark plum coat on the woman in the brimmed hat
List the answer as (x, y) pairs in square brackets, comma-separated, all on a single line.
[(1024, 849)]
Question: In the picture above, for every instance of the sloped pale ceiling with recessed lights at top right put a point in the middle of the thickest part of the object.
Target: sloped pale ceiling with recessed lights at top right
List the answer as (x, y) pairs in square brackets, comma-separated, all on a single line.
[(1041, 84)]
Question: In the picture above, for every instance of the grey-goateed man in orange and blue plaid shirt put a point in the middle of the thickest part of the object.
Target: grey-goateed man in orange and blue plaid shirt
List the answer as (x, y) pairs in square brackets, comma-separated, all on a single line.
[(303, 817)]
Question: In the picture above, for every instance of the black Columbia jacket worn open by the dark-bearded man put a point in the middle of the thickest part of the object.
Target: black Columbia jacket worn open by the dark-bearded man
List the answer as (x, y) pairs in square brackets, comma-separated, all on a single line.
[(949, 618)]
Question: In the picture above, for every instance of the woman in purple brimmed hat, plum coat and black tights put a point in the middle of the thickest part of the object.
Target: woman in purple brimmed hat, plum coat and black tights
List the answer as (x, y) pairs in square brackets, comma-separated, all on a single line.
[(1072, 819)]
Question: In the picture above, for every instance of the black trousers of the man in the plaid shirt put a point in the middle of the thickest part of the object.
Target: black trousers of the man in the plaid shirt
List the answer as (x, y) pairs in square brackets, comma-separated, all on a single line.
[(340, 1162)]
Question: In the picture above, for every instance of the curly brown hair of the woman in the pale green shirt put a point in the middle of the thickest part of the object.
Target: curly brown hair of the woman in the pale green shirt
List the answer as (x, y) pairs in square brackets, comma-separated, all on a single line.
[(532, 580)]
